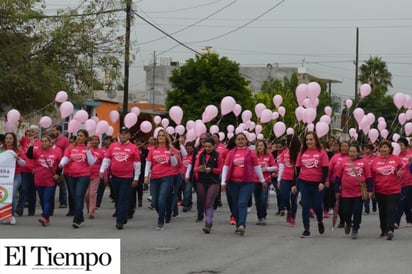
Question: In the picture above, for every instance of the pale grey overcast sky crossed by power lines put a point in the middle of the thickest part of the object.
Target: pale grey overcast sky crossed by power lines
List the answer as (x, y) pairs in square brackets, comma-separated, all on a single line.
[(318, 34)]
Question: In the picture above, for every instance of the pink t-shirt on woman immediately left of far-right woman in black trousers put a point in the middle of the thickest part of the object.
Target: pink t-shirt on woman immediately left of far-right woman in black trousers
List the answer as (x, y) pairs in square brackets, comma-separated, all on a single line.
[(350, 183)]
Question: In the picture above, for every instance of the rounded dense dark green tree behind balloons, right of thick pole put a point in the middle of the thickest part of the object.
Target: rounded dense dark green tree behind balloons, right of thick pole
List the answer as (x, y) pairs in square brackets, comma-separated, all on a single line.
[(205, 80)]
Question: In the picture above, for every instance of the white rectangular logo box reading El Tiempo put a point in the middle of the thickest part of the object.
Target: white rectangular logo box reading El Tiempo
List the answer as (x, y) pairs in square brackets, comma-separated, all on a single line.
[(62, 256)]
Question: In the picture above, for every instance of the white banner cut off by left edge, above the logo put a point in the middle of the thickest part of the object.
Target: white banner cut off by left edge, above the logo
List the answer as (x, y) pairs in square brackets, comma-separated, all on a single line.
[(7, 168)]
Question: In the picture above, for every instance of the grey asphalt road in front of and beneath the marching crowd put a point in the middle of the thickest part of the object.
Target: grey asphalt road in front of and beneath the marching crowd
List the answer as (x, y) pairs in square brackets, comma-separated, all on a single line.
[(183, 248)]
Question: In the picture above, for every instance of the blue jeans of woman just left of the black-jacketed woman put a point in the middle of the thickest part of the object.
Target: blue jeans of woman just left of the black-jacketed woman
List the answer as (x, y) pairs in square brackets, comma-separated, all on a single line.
[(160, 189)]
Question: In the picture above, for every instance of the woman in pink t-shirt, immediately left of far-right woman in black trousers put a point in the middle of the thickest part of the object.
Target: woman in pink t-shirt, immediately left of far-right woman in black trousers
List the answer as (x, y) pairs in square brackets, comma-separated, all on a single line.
[(350, 172)]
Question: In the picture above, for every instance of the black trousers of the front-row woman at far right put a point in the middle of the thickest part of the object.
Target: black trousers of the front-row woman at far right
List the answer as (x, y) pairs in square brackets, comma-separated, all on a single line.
[(387, 205)]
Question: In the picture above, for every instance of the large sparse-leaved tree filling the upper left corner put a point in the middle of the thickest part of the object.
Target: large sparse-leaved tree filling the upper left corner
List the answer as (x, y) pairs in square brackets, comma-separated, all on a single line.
[(40, 55)]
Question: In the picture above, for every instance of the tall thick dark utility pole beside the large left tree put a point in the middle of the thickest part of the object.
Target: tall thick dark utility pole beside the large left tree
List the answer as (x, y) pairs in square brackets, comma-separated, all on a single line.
[(127, 58)]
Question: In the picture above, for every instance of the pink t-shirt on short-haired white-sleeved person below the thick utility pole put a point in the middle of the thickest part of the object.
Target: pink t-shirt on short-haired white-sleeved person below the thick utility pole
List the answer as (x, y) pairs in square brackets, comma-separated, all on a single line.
[(122, 157)]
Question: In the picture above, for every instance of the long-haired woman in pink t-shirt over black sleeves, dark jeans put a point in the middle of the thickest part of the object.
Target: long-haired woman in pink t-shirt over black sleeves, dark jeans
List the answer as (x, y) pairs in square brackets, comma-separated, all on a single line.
[(312, 170)]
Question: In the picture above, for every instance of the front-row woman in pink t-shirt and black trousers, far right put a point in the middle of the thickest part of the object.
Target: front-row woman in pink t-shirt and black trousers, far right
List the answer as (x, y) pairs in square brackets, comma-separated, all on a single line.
[(385, 172)]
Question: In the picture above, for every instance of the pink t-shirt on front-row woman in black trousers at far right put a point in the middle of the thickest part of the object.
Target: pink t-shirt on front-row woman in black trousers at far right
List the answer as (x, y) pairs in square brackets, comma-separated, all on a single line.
[(384, 171)]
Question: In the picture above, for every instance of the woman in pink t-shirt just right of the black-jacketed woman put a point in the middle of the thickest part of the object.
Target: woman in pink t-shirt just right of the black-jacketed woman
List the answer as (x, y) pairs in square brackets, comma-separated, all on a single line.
[(240, 165)]
